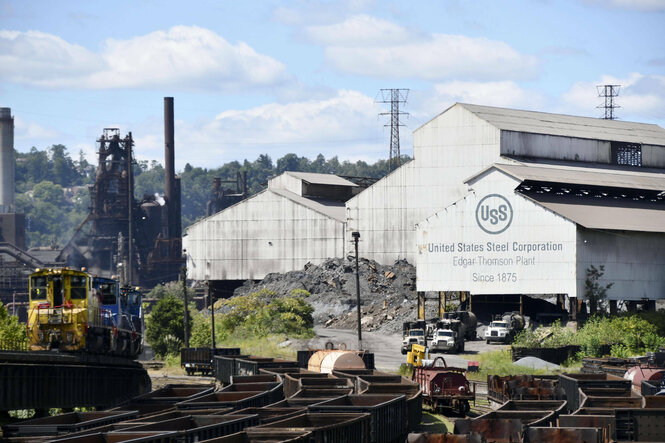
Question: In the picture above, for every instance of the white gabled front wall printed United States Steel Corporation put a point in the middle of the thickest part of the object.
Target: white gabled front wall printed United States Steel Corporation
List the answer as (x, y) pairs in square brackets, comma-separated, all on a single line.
[(530, 251)]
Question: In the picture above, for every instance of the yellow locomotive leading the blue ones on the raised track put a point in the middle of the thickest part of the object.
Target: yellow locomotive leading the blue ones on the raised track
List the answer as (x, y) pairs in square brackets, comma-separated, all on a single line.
[(64, 311)]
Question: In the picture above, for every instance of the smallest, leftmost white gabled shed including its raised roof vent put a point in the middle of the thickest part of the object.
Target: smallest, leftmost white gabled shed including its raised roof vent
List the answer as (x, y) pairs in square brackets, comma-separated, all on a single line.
[(298, 218)]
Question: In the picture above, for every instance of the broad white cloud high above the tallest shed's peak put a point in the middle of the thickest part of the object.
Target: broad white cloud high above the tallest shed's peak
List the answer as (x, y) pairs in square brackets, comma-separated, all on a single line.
[(369, 46)]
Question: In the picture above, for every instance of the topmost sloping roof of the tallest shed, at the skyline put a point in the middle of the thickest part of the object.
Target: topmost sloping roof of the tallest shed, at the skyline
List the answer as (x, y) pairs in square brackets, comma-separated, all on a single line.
[(568, 125)]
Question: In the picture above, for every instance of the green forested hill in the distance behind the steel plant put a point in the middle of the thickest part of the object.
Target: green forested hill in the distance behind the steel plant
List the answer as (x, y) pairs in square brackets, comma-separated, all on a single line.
[(52, 189)]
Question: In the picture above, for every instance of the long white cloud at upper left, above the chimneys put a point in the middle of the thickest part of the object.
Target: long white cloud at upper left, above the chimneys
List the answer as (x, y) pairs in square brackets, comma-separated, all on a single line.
[(185, 57)]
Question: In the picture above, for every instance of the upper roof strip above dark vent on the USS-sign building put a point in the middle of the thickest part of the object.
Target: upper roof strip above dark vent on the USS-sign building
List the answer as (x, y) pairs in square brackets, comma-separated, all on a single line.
[(591, 176)]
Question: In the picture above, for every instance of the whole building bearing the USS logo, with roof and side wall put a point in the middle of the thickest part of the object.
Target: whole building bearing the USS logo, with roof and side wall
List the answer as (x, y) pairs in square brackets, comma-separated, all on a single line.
[(534, 229)]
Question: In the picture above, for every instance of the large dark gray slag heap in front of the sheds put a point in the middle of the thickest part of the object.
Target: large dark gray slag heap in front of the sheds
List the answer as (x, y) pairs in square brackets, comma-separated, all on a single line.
[(387, 293)]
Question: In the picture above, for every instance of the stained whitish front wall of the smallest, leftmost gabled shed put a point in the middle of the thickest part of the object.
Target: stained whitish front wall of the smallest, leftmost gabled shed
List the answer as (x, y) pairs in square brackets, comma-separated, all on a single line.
[(265, 233)]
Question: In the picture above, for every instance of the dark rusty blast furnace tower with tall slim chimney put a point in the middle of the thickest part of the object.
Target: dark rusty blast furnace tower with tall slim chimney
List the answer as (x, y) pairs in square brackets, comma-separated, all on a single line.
[(139, 241)]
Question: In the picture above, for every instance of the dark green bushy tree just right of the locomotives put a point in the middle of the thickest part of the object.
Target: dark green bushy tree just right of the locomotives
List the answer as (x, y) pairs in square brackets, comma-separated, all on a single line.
[(165, 326)]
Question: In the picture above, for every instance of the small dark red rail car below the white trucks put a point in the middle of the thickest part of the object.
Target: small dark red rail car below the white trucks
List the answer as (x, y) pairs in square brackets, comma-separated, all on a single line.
[(444, 387)]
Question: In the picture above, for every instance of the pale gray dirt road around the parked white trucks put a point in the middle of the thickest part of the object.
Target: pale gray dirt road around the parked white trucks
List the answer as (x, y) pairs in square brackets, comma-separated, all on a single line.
[(386, 347)]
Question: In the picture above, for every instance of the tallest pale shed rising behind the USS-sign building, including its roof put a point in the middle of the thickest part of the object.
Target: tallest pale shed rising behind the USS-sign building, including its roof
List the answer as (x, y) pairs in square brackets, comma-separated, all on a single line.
[(464, 140)]
